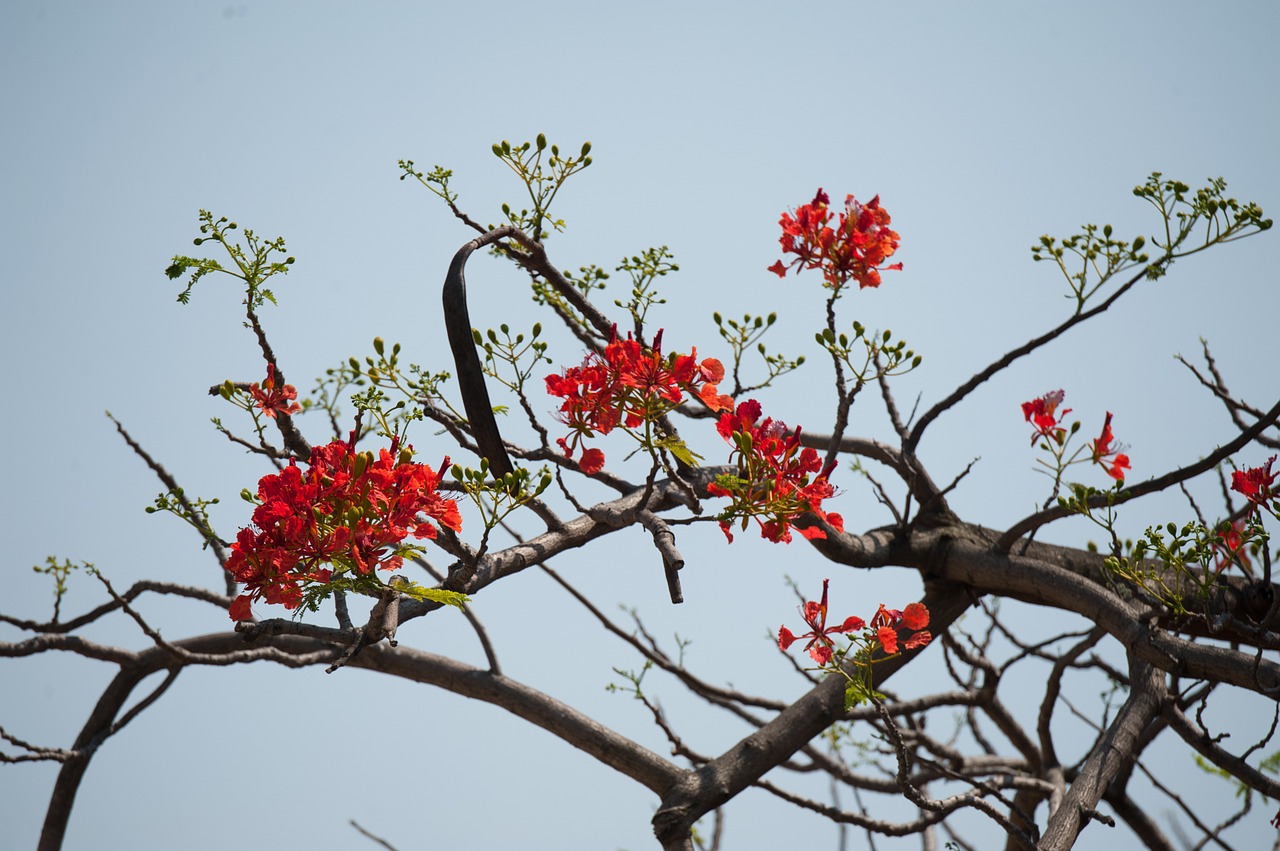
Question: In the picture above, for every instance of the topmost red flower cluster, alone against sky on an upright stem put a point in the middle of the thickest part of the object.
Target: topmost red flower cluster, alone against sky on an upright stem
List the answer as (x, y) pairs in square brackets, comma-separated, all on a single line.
[(856, 249)]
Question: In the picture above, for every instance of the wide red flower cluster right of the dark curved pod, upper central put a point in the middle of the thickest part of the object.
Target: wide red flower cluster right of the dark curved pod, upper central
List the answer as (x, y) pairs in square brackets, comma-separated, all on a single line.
[(629, 385)]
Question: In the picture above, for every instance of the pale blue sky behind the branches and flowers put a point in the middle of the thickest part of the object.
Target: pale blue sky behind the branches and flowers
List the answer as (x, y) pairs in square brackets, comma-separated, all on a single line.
[(981, 126)]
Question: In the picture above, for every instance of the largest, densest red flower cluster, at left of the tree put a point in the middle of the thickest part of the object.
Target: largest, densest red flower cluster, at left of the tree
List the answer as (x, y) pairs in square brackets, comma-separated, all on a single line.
[(349, 510)]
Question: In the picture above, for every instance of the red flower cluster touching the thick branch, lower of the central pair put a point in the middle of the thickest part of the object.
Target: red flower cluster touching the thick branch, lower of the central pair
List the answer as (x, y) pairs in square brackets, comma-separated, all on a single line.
[(774, 477)]
